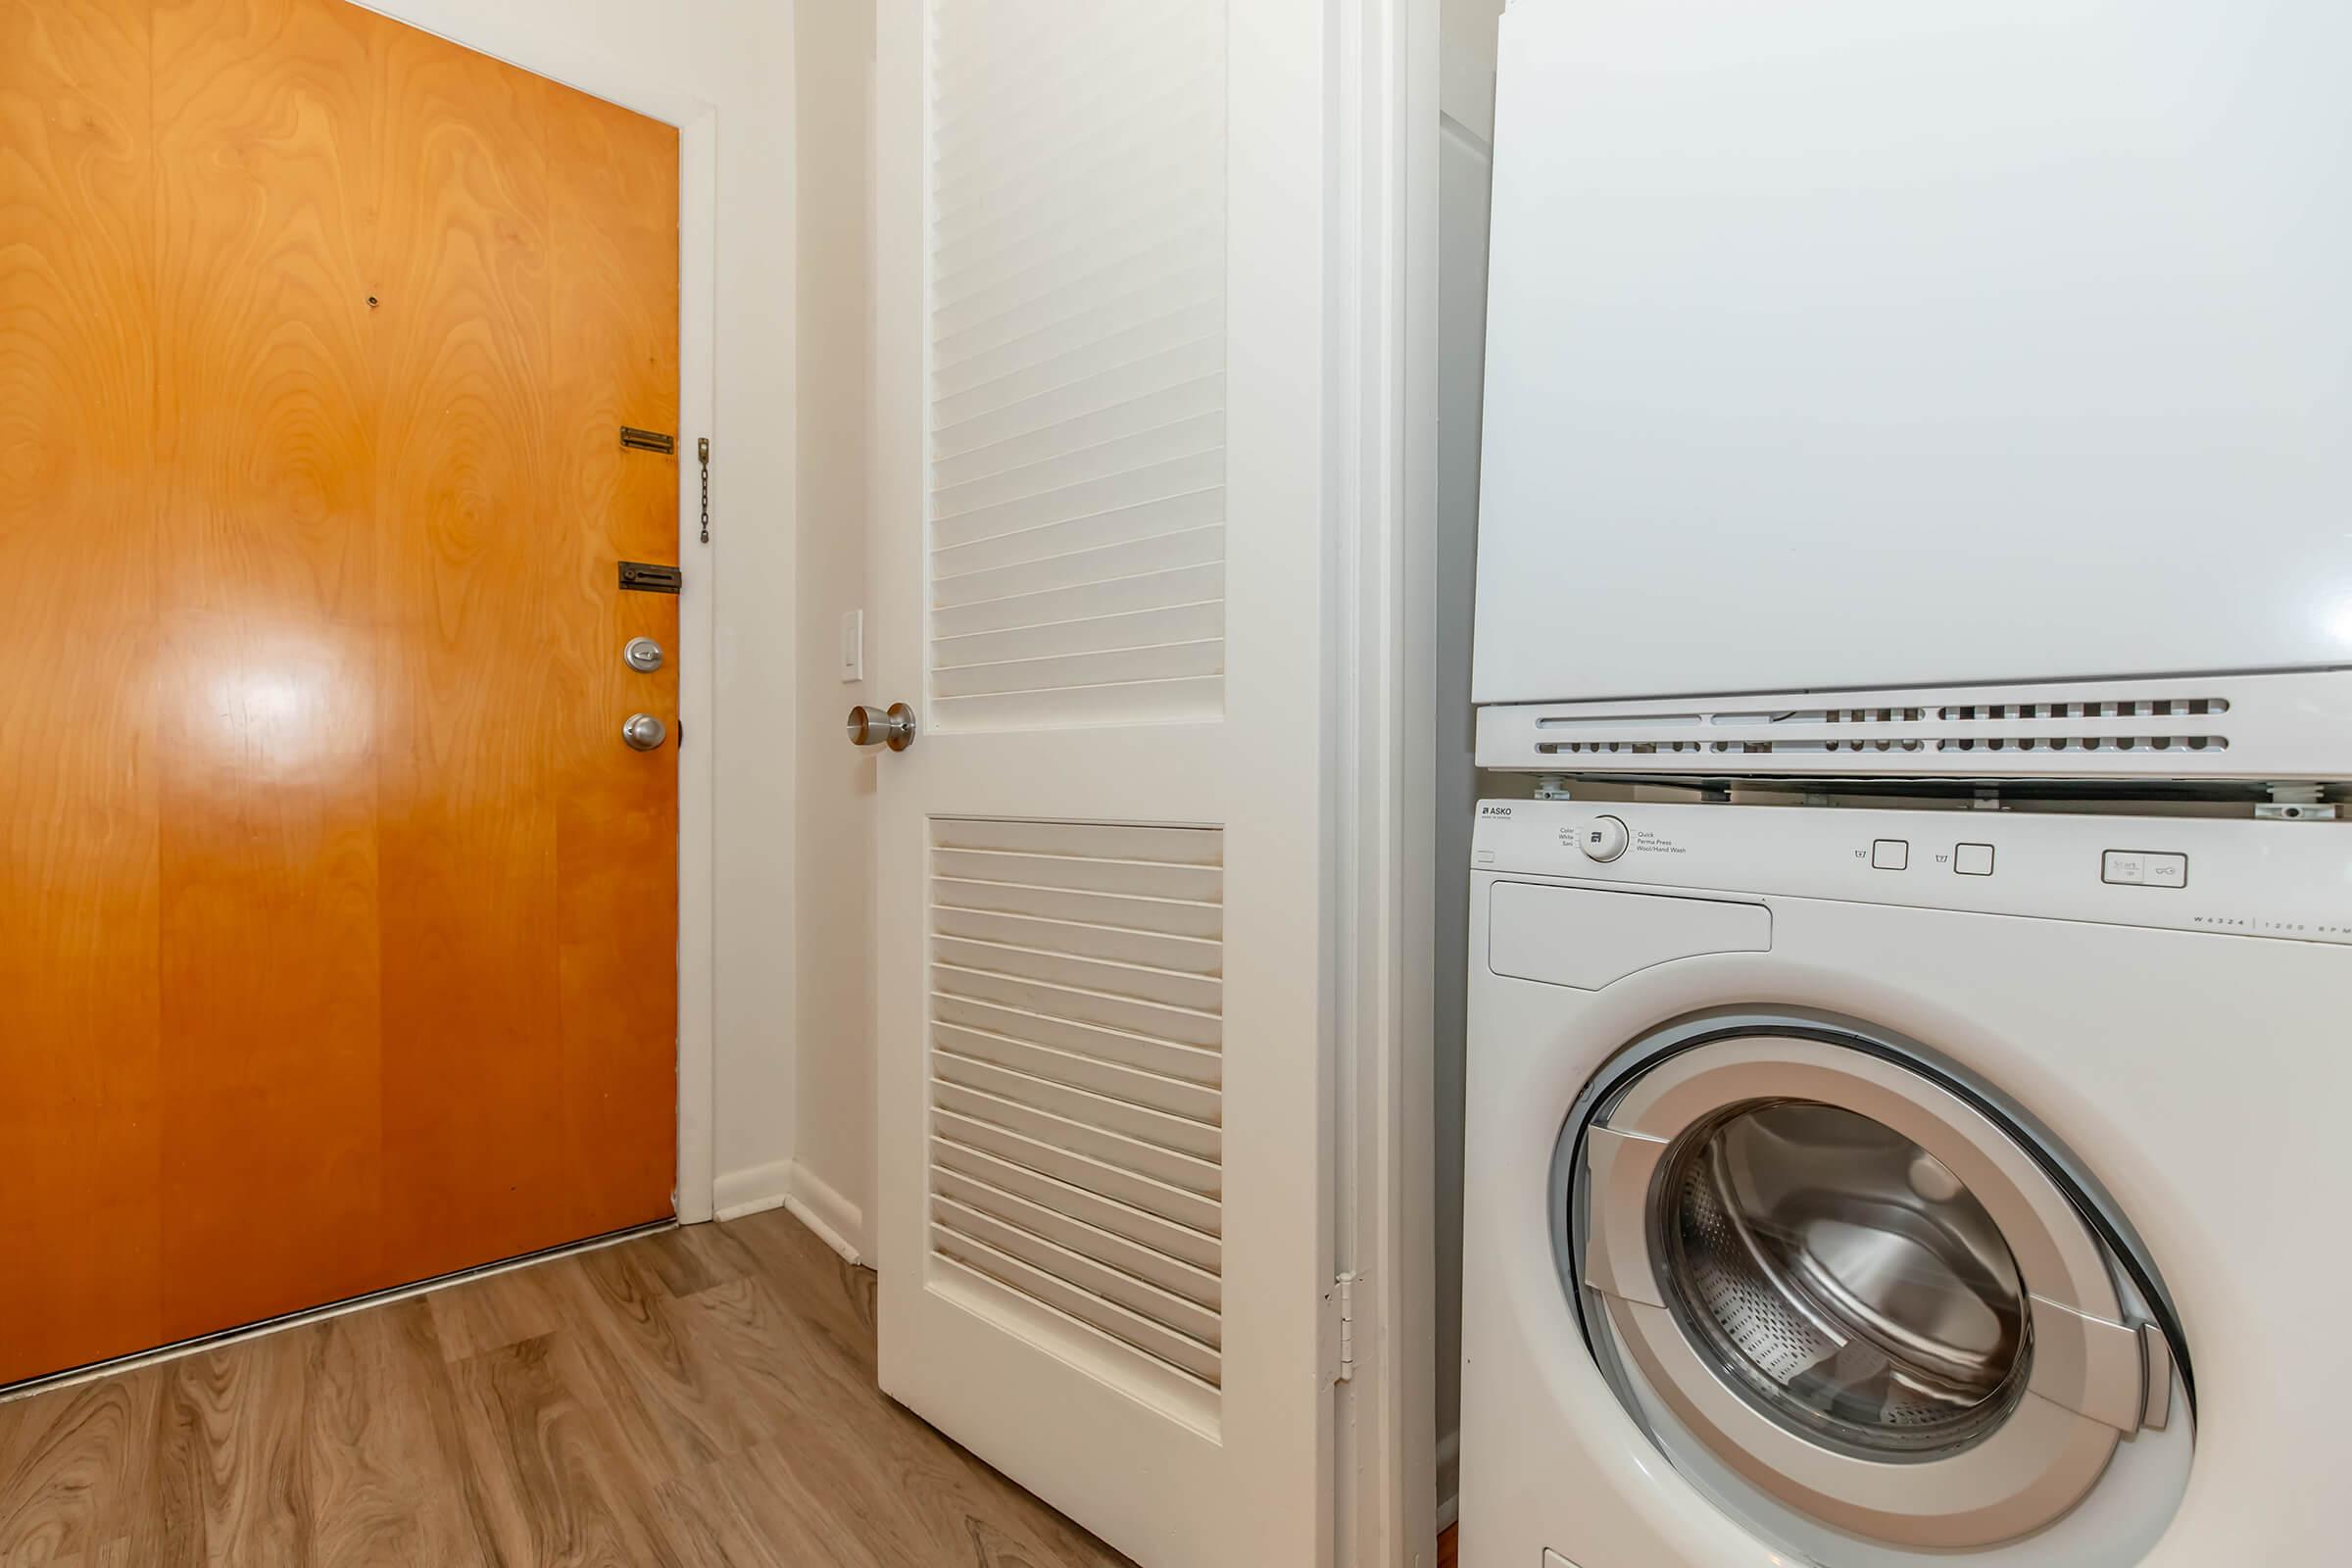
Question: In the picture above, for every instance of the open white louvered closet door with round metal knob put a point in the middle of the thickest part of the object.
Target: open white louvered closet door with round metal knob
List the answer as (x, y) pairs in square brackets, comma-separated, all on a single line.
[(1104, 892)]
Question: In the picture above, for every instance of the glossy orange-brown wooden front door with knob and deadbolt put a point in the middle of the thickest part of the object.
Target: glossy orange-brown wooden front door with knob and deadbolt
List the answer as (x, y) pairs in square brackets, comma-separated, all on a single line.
[(338, 923)]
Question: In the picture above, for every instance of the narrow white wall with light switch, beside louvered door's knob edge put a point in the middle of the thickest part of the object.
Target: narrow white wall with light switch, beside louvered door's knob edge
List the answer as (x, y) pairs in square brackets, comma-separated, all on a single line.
[(836, 1160)]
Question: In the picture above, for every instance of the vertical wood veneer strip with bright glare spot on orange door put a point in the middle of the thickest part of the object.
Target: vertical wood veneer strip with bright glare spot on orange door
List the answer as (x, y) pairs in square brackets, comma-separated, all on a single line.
[(265, 424)]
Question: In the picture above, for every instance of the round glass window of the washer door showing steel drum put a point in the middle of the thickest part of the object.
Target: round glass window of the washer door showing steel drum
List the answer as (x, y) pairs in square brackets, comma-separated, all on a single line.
[(1845, 1278)]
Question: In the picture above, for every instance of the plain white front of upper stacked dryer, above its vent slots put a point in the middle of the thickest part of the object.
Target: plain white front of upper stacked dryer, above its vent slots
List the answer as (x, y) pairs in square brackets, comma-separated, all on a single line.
[(1840, 344)]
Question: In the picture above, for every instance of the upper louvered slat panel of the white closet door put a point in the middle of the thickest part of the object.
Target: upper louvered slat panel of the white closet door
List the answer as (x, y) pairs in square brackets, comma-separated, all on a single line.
[(1078, 351)]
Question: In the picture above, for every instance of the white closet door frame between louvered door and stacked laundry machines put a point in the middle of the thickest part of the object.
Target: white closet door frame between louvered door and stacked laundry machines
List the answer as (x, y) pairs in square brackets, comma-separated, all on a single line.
[(1387, 469)]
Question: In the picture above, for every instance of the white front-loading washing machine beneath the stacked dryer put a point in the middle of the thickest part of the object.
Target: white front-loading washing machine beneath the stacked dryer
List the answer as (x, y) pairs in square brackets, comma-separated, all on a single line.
[(1876, 1188)]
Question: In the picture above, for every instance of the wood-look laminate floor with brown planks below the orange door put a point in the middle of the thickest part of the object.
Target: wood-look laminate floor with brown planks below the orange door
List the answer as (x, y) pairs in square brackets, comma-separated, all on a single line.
[(693, 1400)]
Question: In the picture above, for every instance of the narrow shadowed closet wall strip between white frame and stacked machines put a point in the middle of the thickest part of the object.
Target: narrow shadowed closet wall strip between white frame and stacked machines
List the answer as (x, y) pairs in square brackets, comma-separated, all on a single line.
[(1464, 175)]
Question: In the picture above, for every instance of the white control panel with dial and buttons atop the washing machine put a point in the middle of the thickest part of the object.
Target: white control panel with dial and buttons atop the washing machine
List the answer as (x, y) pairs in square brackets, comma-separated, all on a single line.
[(2240, 878)]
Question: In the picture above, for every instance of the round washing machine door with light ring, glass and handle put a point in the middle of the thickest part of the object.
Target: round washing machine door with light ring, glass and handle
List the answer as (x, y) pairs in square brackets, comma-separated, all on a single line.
[(1859, 1292)]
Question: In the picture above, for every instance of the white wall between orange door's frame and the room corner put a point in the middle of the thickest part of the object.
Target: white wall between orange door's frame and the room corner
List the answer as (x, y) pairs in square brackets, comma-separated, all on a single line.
[(730, 58)]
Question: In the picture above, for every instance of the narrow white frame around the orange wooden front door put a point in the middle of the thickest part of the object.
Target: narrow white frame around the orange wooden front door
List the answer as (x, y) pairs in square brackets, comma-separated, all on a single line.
[(653, 93)]
